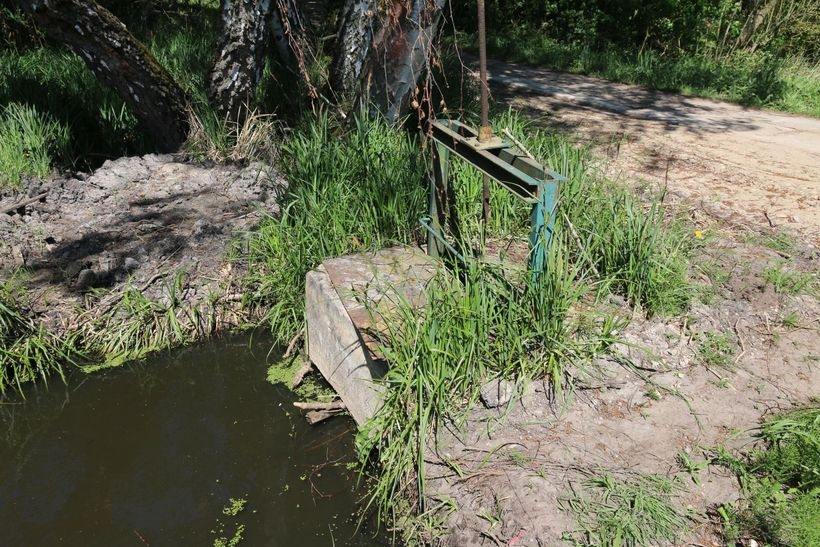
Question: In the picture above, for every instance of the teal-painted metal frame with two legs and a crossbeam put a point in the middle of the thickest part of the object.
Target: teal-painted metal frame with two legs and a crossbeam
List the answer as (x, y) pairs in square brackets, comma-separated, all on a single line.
[(505, 164)]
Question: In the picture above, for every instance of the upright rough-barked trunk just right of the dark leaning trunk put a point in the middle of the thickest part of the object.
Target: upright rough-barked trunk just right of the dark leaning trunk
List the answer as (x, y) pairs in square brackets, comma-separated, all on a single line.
[(241, 57)]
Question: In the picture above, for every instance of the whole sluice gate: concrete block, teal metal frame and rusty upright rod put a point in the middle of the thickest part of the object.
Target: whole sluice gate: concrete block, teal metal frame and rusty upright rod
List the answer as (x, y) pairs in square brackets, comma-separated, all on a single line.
[(343, 293)]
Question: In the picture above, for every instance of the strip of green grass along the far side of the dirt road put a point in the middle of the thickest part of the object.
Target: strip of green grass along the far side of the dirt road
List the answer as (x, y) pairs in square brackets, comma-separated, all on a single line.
[(753, 79)]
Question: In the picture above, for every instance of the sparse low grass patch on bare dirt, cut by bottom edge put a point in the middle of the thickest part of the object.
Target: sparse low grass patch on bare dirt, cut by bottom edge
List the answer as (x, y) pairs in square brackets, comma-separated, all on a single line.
[(633, 510)]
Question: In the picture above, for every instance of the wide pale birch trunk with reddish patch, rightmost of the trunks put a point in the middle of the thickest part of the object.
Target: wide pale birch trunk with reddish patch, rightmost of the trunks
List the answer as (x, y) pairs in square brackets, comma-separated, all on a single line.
[(397, 38)]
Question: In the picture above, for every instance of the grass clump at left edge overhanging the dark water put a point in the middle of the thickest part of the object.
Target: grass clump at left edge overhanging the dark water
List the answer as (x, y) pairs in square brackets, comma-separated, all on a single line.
[(28, 351)]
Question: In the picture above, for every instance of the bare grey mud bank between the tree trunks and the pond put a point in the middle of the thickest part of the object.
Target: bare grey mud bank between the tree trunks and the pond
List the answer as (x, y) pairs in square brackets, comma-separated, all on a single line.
[(75, 240)]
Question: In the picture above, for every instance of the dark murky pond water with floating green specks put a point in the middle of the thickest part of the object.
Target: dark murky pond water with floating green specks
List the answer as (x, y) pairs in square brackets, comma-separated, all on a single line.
[(151, 453)]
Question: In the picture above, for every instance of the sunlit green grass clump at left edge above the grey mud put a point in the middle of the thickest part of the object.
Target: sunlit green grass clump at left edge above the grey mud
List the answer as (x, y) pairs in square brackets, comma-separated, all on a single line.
[(28, 142)]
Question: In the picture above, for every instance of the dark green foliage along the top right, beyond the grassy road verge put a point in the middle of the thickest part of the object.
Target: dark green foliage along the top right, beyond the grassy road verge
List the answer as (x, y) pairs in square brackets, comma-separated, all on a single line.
[(789, 27)]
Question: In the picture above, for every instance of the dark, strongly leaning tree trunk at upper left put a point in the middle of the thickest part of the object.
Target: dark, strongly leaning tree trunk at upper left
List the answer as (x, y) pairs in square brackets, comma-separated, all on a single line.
[(120, 61)]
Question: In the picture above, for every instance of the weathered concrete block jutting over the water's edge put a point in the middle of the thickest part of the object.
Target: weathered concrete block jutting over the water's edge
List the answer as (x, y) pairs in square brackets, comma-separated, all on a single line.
[(346, 297)]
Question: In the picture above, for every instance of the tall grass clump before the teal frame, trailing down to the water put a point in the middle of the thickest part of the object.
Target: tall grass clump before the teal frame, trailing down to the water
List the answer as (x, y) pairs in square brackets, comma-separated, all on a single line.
[(473, 327)]
